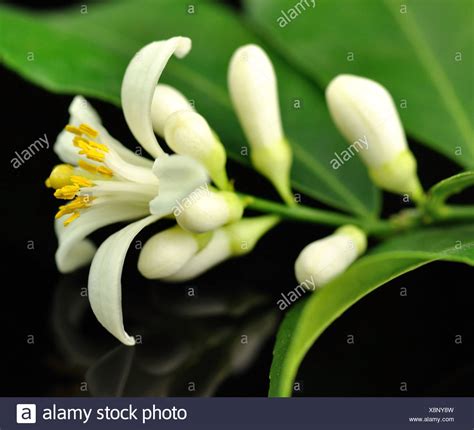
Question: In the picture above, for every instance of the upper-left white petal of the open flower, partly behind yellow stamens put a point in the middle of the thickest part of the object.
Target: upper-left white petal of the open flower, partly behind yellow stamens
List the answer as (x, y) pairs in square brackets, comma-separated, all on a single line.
[(81, 112)]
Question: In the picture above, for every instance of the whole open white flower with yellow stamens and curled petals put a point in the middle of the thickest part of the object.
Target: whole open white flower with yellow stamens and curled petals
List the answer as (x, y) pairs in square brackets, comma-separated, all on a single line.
[(107, 183)]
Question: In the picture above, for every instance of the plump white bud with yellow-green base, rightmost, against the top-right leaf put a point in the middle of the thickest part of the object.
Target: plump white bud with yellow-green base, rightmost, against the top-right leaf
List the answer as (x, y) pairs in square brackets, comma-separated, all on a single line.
[(366, 115)]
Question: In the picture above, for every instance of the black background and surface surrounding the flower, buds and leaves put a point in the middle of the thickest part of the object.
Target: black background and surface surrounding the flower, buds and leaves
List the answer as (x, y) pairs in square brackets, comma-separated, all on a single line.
[(397, 339)]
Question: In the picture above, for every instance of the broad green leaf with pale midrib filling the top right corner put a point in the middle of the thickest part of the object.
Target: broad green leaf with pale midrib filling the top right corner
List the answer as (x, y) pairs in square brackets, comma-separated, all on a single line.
[(401, 44)]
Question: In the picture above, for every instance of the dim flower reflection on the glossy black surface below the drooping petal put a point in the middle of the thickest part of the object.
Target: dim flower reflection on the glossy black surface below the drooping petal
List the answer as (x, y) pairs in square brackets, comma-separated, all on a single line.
[(192, 338)]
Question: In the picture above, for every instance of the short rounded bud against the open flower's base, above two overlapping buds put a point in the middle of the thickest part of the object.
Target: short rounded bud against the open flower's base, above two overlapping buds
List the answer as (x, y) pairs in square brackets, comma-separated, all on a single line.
[(208, 210)]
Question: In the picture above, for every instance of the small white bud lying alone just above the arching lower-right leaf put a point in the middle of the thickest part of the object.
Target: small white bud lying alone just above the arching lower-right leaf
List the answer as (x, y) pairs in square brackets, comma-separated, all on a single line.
[(324, 259)]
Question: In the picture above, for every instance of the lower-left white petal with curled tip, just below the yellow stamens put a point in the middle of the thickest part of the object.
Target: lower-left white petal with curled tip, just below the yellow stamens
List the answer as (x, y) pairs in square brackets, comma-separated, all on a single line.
[(74, 250)]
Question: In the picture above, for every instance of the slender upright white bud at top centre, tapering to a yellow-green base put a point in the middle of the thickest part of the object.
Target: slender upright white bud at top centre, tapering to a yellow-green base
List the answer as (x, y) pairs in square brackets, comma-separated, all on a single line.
[(253, 89)]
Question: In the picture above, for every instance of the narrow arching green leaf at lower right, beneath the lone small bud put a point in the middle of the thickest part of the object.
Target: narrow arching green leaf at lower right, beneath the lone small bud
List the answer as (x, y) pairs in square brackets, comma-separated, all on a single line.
[(305, 322)]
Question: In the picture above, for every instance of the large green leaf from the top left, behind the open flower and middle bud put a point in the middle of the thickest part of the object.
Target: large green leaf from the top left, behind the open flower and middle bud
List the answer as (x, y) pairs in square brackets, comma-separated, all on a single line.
[(71, 52)]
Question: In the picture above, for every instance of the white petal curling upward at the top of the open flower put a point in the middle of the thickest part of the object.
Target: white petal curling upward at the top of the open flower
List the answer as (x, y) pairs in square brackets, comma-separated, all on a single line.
[(138, 87)]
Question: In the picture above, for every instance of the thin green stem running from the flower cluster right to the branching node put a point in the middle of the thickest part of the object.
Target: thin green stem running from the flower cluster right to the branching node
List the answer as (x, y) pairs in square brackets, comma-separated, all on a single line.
[(319, 216)]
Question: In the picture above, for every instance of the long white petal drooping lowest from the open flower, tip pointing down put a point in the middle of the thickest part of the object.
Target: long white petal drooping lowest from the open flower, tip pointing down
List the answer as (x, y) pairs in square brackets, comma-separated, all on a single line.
[(105, 289)]
